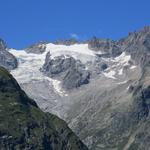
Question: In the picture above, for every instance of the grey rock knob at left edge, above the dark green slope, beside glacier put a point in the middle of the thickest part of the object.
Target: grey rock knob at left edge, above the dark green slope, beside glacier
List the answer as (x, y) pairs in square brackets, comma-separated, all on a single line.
[(7, 60)]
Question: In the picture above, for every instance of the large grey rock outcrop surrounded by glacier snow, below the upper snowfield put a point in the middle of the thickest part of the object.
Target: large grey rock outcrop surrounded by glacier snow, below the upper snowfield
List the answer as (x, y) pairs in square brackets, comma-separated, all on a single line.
[(72, 72)]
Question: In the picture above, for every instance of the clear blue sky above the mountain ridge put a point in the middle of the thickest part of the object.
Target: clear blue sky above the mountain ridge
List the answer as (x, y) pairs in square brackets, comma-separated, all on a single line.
[(24, 22)]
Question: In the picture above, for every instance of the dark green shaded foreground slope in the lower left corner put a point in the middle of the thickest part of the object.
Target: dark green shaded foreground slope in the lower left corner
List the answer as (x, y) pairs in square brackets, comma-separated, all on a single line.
[(24, 126)]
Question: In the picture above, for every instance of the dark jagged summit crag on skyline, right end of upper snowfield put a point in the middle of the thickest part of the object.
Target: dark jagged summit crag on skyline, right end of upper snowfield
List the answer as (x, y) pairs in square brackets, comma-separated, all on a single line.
[(107, 46)]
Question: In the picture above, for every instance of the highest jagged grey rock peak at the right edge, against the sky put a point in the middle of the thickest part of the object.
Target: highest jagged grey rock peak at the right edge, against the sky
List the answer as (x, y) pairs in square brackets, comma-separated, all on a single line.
[(138, 45)]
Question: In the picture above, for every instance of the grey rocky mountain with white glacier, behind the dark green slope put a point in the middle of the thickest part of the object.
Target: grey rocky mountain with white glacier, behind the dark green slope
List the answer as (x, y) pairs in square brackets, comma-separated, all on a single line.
[(100, 87)]
